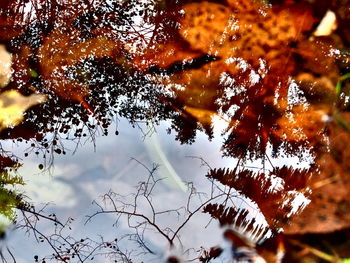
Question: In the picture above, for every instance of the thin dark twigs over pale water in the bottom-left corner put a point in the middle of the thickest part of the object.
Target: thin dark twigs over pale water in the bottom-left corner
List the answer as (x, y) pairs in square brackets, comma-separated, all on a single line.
[(65, 247)]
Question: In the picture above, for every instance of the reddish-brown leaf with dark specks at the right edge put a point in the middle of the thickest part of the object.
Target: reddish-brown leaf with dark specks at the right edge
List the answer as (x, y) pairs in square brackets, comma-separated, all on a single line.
[(329, 209)]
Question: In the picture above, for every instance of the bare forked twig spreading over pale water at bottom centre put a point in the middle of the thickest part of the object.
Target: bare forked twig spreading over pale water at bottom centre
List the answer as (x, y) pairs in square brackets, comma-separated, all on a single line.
[(143, 216)]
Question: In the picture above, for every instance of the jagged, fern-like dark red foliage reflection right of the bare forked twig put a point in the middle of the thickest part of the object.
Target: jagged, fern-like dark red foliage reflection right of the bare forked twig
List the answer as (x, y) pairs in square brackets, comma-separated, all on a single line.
[(273, 197)]
